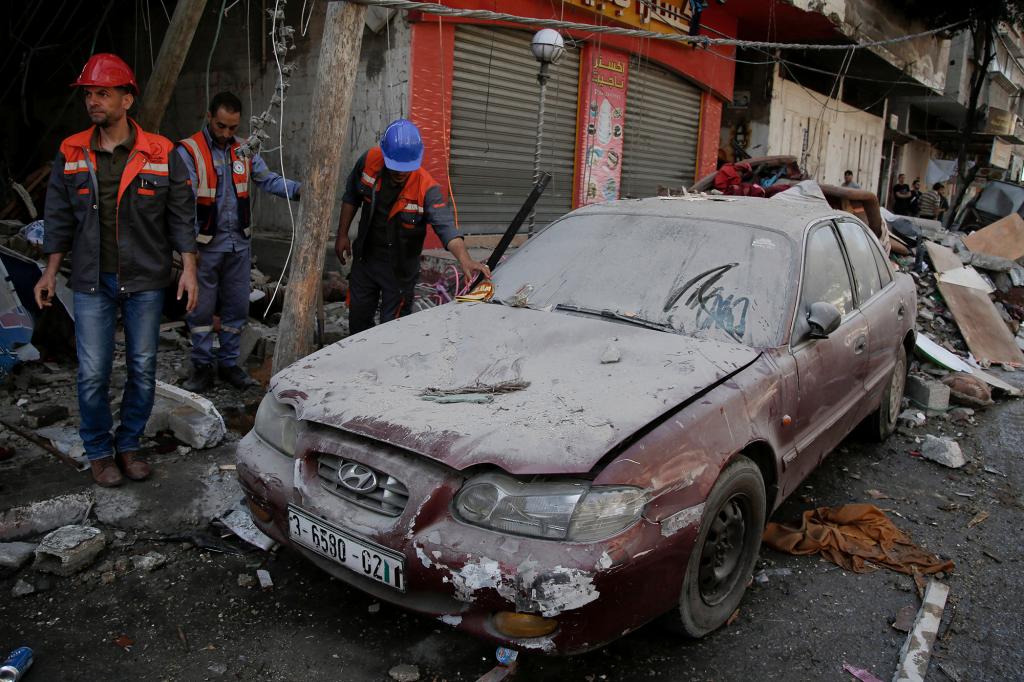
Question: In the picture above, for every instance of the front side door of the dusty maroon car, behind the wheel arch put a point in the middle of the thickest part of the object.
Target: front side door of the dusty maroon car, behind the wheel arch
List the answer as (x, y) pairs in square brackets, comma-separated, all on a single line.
[(831, 372)]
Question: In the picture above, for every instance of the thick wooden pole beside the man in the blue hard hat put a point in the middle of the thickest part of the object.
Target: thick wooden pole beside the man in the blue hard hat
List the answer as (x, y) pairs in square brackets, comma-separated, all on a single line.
[(339, 61)]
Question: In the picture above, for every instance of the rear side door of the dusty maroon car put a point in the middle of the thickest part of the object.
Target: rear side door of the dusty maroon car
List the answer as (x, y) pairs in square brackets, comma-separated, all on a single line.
[(879, 302)]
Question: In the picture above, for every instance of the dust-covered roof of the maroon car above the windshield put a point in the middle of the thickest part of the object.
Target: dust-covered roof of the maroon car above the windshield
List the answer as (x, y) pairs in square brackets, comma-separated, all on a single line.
[(786, 216)]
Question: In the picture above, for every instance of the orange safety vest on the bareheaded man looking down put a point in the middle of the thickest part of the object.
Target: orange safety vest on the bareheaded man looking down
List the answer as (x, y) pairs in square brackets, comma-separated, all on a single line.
[(206, 191)]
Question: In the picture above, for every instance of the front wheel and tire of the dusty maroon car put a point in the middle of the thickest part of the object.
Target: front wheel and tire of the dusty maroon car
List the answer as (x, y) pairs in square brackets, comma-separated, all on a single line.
[(726, 551)]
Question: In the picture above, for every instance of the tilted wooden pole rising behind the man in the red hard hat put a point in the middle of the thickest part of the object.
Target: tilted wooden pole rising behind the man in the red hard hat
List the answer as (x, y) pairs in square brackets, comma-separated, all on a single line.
[(173, 55)]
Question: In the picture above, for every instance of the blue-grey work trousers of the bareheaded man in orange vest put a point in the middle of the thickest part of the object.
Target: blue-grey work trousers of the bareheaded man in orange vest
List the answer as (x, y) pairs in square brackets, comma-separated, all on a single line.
[(224, 278)]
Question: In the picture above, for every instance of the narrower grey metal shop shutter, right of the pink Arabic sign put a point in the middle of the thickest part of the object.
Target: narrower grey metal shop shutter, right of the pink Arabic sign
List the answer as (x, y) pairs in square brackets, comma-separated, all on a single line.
[(663, 120)]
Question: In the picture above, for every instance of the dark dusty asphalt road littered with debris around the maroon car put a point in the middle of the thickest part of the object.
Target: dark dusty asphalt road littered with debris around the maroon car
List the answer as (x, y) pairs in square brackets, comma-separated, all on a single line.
[(190, 620)]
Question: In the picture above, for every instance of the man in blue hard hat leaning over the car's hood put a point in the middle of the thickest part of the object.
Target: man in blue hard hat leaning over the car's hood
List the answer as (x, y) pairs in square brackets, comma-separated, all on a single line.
[(399, 199)]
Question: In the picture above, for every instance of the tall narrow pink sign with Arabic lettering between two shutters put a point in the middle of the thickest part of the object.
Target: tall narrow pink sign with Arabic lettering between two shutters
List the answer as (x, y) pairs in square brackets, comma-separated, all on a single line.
[(603, 125)]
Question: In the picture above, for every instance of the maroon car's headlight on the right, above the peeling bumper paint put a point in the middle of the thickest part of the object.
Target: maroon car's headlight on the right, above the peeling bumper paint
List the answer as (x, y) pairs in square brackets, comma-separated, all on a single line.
[(557, 510)]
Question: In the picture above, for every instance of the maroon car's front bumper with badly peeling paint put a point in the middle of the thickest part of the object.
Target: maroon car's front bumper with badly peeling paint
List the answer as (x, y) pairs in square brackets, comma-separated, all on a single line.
[(464, 575)]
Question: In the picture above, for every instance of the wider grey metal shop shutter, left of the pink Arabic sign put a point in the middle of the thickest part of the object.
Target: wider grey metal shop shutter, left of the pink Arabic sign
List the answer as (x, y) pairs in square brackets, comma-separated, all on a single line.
[(494, 129)]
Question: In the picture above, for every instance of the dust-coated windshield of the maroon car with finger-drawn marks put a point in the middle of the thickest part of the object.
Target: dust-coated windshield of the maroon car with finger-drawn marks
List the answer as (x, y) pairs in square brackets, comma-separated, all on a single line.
[(698, 278)]
